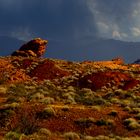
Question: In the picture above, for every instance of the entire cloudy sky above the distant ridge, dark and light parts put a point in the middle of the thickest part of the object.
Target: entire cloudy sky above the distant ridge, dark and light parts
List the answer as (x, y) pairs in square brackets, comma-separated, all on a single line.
[(70, 19)]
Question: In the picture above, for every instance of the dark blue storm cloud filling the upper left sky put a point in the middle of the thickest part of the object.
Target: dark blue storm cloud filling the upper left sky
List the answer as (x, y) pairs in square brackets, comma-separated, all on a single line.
[(56, 19)]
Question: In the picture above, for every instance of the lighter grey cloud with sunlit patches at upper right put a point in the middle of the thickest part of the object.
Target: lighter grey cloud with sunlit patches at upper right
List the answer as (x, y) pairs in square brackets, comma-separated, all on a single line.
[(117, 16)]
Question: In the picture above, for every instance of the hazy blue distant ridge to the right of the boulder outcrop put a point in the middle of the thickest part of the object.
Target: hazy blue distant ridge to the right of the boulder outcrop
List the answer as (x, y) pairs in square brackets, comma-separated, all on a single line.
[(93, 48)]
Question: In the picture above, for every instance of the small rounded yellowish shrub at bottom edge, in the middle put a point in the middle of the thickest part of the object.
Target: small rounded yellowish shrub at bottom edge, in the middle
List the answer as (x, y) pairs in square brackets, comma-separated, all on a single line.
[(71, 136)]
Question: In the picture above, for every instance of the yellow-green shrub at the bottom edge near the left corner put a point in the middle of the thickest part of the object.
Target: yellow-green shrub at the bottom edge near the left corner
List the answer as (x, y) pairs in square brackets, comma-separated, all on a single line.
[(12, 136)]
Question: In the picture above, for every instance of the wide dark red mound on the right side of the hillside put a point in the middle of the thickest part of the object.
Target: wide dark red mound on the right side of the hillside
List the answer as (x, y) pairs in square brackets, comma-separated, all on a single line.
[(97, 80)]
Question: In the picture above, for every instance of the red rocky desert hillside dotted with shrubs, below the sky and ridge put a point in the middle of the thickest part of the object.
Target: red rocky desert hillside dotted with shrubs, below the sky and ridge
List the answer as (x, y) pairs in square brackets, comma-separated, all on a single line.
[(43, 98)]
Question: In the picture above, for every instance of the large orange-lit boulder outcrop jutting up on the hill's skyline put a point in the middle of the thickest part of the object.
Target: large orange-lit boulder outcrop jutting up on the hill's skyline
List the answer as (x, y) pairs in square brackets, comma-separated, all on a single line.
[(34, 48)]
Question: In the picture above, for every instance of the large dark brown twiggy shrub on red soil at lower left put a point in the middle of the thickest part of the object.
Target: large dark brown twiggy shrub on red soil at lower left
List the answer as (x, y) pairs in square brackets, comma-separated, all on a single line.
[(26, 120)]
